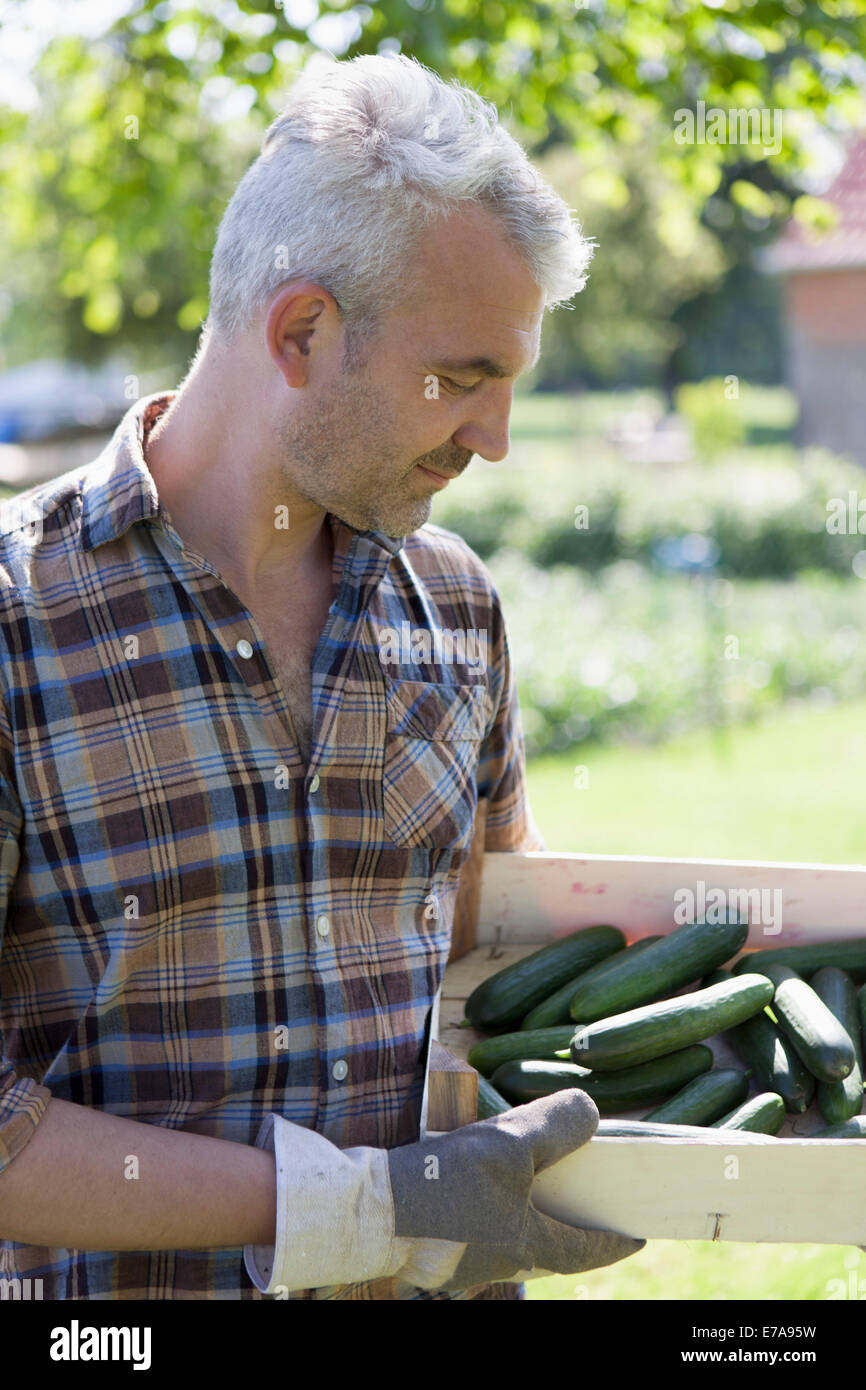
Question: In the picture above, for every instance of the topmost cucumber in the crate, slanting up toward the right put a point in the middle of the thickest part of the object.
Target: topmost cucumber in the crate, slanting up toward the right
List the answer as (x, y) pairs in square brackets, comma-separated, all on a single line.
[(664, 968)]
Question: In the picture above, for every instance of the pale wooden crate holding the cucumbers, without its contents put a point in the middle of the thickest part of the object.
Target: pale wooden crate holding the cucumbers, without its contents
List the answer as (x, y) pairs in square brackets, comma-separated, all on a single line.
[(732, 1188)]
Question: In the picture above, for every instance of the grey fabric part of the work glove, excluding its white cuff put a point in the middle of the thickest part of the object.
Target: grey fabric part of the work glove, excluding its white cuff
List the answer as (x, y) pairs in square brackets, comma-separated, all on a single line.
[(479, 1206)]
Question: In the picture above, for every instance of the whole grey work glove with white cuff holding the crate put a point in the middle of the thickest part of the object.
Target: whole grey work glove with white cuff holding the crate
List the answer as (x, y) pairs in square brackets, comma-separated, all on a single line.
[(447, 1213)]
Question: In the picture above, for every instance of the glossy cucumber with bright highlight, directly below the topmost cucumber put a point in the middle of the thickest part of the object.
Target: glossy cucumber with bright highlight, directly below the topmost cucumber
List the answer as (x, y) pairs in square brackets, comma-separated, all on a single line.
[(643, 1035)]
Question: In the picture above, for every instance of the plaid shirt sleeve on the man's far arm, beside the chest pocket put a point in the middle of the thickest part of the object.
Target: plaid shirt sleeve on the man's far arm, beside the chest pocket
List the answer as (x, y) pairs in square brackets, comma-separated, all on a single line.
[(503, 776)]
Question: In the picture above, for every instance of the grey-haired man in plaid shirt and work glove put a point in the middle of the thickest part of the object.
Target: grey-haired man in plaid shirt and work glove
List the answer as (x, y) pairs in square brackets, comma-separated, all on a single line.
[(234, 811)]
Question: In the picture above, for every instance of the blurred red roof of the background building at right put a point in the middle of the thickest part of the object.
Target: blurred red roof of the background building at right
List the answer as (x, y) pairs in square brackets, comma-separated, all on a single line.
[(842, 248)]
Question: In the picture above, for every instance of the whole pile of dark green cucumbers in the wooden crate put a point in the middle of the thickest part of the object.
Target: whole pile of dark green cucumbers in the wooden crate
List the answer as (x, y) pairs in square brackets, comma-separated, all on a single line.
[(593, 1013)]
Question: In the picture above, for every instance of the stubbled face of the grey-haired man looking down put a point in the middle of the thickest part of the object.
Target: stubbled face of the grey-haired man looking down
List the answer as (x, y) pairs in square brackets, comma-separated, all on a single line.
[(361, 447)]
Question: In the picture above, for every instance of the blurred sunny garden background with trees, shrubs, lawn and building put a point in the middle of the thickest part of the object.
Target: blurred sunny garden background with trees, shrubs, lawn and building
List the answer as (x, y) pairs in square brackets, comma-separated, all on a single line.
[(678, 532)]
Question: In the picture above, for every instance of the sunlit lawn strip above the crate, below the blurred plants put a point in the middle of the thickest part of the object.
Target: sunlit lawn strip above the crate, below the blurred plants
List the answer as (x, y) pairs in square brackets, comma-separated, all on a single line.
[(792, 790)]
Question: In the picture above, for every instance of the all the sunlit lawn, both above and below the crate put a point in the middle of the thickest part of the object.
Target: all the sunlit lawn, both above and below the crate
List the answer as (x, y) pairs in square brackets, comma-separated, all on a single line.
[(789, 792)]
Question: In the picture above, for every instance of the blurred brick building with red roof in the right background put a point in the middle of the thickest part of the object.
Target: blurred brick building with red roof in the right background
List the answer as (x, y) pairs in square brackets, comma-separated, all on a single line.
[(825, 313)]
